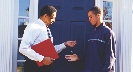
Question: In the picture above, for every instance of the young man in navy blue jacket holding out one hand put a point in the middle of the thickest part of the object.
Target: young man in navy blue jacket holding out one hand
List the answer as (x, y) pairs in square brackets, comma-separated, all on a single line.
[(101, 44)]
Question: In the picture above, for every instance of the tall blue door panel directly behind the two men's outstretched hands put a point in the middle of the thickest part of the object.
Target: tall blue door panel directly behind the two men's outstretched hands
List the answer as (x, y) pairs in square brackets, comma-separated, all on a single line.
[(78, 30)]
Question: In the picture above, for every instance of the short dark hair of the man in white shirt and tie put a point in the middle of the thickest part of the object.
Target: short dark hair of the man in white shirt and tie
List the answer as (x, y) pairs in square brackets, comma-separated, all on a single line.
[(48, 9)]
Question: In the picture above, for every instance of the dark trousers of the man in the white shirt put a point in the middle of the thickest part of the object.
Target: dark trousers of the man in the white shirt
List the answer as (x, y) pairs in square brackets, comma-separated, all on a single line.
[(31, 66)]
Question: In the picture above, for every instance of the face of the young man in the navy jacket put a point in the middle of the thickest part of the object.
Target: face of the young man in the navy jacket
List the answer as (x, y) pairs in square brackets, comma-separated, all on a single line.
[(92, 18)]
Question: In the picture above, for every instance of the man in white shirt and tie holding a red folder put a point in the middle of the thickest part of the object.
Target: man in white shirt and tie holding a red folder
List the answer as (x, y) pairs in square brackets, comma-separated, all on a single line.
[(35, 33)]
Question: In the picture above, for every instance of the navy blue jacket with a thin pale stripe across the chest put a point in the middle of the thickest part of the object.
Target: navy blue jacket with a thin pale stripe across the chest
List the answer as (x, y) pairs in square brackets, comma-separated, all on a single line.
[(100, 52)]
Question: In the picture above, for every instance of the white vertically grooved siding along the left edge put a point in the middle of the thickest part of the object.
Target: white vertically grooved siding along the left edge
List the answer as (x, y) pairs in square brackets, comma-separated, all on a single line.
[(7, 13)]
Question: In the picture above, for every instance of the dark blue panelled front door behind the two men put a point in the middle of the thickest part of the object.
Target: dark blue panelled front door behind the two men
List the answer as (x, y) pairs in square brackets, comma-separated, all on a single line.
[(71, 24)]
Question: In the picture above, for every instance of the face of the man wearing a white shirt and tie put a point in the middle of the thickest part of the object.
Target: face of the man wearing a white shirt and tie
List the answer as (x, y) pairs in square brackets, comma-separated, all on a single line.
[(49, 19)]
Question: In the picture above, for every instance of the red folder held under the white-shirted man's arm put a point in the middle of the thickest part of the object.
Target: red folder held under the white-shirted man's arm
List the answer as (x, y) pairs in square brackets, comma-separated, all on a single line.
[(46, 49)]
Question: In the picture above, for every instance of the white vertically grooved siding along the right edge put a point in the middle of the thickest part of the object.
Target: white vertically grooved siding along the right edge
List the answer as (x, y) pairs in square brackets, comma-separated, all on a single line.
[(122, 26)]
